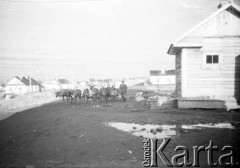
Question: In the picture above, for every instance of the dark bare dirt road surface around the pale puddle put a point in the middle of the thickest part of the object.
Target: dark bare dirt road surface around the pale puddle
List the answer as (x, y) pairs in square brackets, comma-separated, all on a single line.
[(65, 135)]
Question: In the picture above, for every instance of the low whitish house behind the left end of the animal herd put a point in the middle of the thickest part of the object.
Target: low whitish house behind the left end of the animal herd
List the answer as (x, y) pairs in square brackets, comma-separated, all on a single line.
[(58, 84)]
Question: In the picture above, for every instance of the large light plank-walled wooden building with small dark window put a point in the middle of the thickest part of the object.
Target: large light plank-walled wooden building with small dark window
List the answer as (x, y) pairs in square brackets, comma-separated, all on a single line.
[(208, 61)]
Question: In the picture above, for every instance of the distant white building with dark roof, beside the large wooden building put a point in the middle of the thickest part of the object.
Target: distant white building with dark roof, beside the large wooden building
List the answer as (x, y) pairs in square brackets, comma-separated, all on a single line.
[(162, 77)]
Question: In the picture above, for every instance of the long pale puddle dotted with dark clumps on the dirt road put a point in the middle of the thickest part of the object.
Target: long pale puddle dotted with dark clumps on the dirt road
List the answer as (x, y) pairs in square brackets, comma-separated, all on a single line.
[(161, 131)]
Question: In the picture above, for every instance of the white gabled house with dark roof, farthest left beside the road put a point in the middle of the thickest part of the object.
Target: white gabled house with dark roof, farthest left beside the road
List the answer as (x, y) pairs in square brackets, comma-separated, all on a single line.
[(22, 85)]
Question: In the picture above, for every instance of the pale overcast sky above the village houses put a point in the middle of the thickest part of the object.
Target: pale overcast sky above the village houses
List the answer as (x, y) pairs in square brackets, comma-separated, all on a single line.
[(93, 38)]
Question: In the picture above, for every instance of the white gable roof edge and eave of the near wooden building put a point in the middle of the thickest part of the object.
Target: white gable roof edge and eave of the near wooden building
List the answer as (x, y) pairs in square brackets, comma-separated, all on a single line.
[(175, 43)]
